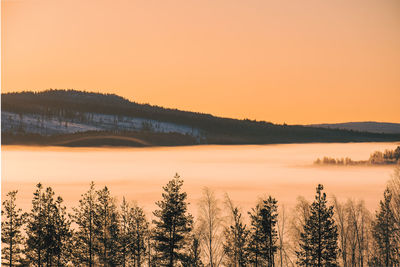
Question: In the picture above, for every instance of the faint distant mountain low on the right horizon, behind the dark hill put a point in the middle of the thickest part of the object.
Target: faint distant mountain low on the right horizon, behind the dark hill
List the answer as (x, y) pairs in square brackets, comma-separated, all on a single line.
[(366, 126)]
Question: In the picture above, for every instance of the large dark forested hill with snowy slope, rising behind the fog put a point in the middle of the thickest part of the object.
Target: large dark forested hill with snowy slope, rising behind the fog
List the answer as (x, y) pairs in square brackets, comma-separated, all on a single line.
[(70, 117)]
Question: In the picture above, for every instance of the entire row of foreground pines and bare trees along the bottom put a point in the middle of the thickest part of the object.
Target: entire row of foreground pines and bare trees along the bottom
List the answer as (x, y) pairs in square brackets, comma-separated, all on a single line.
[(99, 232)]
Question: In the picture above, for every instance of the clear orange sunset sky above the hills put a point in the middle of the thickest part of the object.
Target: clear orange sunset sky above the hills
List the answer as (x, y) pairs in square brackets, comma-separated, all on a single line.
[(295, 62)]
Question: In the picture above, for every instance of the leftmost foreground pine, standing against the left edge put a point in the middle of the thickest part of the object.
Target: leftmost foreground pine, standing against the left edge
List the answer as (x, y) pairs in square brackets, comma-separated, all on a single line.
[(11, 237)]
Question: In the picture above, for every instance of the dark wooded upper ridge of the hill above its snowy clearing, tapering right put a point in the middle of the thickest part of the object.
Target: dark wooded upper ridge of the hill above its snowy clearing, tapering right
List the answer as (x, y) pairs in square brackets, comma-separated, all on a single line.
[(73, 104)]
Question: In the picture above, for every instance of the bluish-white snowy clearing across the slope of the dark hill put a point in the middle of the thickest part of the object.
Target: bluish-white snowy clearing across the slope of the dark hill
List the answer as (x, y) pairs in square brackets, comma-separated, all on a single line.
[(34, 123)]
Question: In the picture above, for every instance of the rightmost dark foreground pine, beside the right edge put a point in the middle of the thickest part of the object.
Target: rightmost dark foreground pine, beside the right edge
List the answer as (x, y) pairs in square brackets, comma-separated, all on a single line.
[(384, 233)]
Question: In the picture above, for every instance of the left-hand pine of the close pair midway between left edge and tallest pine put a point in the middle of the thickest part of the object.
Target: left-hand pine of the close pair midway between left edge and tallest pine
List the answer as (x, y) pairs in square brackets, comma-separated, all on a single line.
[(84, 237)]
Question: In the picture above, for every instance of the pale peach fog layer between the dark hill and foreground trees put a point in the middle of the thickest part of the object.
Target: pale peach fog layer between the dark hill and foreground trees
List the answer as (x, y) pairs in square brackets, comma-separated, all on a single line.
[(244, 172)]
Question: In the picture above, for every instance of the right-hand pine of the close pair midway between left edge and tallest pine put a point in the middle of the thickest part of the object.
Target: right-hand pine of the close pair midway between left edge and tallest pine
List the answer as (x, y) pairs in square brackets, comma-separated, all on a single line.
[(106, 228)]
